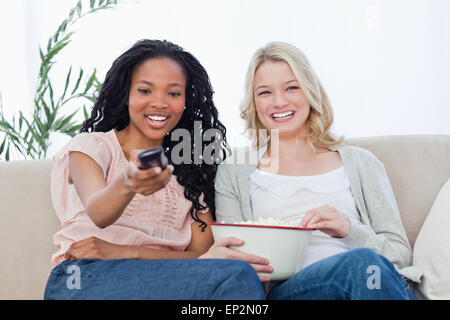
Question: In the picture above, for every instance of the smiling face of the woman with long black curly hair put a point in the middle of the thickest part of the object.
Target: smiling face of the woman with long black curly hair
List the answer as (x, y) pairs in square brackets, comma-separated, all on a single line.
[(156, 99)]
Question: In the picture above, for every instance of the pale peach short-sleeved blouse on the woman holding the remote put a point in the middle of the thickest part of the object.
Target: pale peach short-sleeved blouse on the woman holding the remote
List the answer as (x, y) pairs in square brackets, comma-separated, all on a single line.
[(158, 221)]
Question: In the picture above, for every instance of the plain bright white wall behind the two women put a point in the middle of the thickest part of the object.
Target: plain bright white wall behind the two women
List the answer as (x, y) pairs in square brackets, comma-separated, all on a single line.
[(384, 63)]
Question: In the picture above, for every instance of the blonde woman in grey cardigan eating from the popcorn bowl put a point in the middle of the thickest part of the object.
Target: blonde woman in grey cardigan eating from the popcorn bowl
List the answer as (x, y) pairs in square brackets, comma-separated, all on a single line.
[(304, 174)]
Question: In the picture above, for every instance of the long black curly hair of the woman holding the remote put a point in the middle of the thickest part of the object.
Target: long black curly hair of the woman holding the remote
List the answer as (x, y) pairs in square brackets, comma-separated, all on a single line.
[(109, 112)]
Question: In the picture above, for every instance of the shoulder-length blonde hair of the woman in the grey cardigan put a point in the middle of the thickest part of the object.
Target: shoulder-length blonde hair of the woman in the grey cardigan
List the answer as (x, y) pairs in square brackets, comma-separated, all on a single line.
[(320, 118)]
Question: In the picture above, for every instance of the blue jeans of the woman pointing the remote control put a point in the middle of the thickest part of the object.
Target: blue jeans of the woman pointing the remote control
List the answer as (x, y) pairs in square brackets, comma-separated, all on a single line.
[(127, 279)]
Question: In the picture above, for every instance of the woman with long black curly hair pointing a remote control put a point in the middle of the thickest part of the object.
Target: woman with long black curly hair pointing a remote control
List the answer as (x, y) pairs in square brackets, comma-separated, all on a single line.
[(128, 233)]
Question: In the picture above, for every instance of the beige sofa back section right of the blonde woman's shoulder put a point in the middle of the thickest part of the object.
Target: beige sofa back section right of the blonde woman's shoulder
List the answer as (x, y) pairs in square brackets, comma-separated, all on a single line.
[(418, 166)]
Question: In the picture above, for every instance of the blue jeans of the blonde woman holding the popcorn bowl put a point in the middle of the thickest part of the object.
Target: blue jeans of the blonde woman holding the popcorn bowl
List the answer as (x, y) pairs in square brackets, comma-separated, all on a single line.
[(358, 274)]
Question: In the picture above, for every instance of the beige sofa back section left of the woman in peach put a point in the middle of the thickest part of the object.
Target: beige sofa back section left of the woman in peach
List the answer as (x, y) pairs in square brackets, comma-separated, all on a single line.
[(27, 224)]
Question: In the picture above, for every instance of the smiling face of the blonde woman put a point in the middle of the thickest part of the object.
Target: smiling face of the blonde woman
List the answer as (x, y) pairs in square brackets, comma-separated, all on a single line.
[(280, 103)]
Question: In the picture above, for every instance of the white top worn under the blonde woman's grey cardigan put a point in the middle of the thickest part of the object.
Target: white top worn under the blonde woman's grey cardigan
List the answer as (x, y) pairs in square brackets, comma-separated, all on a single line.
[(289, 198)]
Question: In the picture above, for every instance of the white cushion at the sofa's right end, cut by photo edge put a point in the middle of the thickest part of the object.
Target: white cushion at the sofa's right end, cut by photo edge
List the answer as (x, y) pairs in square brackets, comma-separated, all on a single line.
[(432, 249)]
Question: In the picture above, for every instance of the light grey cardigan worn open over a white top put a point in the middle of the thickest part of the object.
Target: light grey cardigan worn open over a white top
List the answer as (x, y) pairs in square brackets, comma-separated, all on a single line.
[(381, 228)]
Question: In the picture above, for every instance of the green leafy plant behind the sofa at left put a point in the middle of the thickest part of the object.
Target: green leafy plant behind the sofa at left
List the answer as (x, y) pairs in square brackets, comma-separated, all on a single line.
[(30, 135)]
